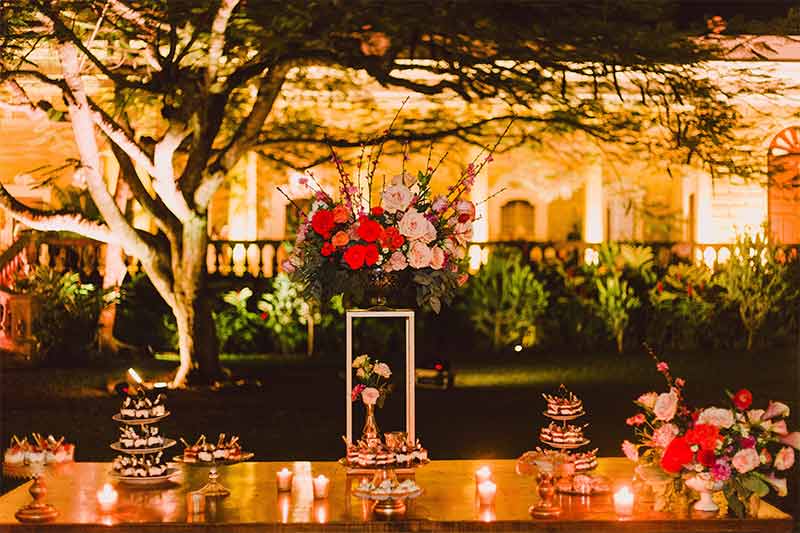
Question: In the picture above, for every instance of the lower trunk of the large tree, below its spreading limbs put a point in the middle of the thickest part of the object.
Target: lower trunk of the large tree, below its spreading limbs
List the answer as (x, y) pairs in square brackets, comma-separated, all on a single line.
[(197, 337)]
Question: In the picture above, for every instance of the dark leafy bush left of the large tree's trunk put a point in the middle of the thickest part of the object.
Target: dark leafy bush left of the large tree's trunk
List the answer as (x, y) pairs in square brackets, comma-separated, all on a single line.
[(65, 322)]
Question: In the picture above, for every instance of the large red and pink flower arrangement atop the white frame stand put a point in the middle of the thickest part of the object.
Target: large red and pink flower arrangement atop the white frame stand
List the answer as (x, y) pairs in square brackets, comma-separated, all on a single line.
[(401, 229)]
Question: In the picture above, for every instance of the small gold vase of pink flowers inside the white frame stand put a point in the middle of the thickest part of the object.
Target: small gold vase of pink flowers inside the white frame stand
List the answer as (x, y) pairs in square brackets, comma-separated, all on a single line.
[(372, 387)]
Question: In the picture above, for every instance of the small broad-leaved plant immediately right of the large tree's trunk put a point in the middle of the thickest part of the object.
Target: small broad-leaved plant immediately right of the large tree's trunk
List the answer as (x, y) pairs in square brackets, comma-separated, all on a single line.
[(238, 328)]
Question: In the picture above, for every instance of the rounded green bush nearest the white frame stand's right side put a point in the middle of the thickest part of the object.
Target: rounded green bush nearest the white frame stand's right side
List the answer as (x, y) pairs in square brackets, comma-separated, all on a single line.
[(505, 301)]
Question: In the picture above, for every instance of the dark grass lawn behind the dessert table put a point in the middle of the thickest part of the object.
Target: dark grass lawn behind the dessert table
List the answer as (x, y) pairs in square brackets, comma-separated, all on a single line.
[(494, 410)]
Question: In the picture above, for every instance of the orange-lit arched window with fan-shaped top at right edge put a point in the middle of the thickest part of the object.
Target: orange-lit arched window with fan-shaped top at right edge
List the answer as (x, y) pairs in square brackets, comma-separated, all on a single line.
[(783, 199)]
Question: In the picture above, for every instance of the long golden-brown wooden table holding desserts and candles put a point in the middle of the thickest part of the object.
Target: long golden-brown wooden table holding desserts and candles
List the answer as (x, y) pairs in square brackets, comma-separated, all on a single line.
[(449, 503)]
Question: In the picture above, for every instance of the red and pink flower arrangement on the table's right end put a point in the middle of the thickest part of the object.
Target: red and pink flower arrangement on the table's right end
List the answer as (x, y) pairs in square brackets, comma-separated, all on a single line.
[(742, 451)]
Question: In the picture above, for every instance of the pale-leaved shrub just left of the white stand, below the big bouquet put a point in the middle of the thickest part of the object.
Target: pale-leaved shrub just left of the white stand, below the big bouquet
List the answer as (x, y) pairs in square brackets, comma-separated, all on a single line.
[(286, 313)]
